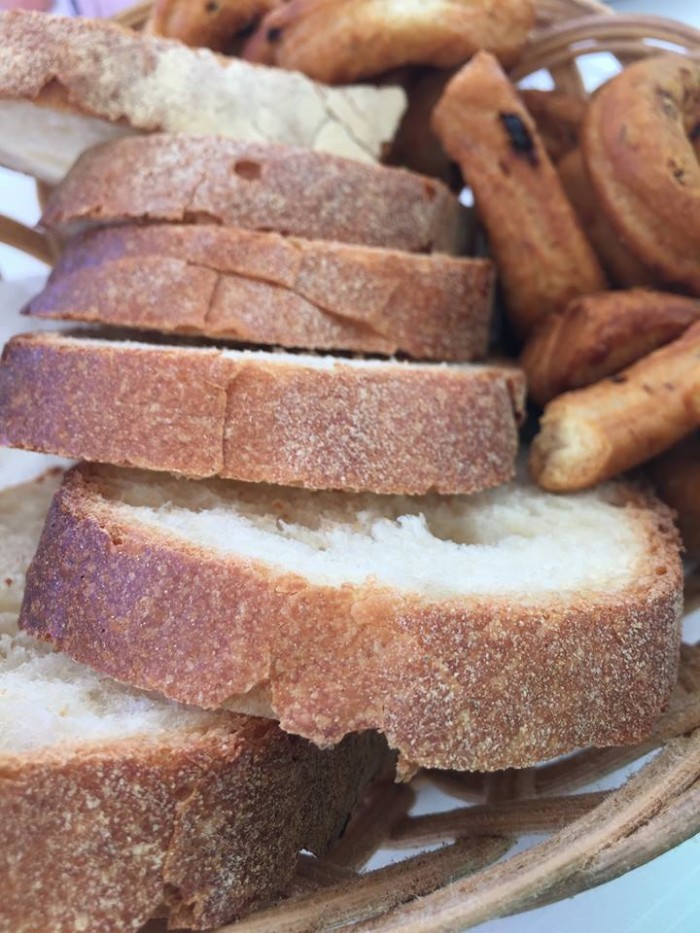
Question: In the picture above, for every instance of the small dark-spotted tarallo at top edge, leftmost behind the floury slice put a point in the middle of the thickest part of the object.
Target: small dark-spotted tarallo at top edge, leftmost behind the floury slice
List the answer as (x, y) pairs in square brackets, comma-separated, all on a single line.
[(213, 25)]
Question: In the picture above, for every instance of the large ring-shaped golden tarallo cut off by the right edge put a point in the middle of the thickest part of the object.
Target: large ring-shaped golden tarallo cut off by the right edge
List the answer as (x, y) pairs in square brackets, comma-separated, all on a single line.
[(637, 146)]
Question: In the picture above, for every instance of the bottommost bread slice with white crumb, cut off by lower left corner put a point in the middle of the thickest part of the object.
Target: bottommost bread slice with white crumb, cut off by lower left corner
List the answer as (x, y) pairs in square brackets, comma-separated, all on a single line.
[(116, 805)]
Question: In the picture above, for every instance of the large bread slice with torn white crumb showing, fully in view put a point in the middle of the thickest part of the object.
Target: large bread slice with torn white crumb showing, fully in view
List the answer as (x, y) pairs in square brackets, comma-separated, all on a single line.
[(477, 633)]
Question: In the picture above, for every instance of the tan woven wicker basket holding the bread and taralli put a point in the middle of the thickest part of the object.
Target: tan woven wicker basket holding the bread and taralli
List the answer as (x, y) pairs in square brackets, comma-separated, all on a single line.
[(592, 837)]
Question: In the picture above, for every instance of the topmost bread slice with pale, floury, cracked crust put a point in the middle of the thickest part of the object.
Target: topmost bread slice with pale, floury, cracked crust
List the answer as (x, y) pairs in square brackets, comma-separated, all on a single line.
[(68, 83)]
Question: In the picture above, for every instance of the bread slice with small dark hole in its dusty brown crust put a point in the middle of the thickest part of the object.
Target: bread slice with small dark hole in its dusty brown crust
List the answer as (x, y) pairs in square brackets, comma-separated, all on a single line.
[(209, 179)]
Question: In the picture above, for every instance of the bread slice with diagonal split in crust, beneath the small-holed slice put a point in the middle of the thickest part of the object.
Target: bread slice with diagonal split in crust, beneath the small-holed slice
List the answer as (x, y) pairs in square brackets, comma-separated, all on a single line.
[(263, 288)]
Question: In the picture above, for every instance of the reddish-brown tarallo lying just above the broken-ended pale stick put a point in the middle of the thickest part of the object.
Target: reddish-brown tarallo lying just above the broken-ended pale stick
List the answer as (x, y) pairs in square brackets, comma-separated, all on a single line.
[(599, 335)]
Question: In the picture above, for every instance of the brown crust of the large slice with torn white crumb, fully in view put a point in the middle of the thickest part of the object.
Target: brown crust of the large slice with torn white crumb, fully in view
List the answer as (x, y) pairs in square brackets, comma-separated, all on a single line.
[(468, 682)]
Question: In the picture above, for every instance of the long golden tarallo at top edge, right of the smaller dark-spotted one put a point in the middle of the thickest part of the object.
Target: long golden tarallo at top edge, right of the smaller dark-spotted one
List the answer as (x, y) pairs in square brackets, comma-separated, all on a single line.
[(337, 41)]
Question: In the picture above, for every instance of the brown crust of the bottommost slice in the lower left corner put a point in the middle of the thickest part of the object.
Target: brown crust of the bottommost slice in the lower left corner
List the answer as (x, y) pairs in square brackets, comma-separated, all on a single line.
[(202, 825)]
